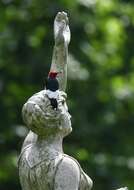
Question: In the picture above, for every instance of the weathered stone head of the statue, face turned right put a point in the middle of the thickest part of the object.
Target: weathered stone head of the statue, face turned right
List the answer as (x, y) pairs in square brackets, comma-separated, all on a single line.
[(41, 118)]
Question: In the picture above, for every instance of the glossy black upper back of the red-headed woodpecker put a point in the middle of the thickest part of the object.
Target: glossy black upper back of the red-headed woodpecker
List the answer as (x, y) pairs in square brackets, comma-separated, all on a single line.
[(52, 84)]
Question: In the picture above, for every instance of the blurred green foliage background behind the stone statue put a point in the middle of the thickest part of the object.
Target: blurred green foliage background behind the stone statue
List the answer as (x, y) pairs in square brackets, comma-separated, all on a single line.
[(100, 83)]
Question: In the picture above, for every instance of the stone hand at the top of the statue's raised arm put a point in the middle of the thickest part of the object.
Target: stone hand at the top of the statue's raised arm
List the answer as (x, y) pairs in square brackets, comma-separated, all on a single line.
[(61, 28)]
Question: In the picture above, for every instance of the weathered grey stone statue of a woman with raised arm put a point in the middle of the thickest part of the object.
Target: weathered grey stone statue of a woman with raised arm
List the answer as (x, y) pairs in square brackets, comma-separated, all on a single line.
[(42, 163)]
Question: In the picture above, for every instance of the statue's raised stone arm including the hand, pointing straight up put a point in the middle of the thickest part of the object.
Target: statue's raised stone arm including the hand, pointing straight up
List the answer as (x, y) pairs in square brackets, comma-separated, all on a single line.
[(60, 52)]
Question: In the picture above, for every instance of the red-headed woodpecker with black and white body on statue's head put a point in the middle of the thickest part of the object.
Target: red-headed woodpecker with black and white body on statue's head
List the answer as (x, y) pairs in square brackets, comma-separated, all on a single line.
[(52, 89)]
